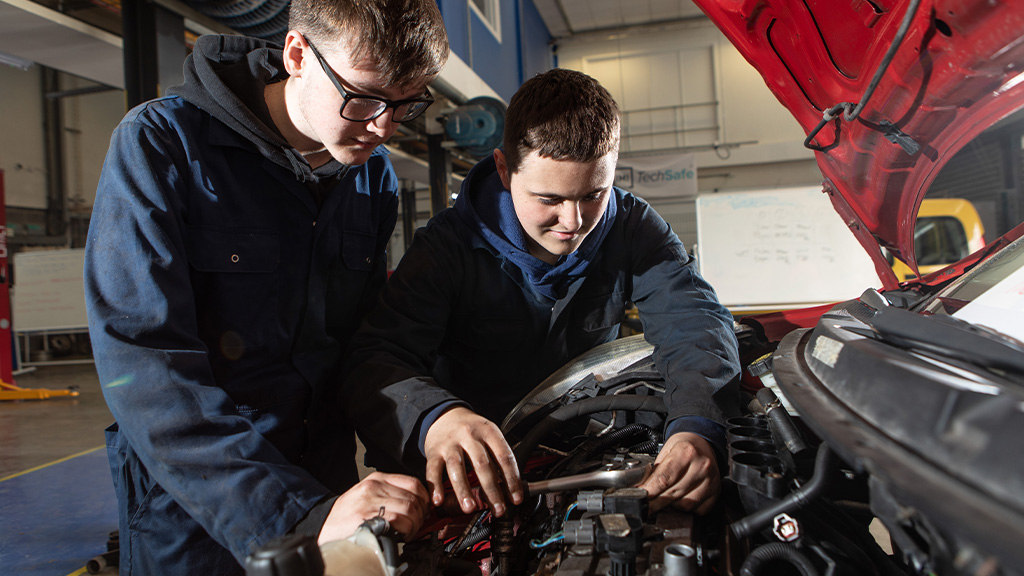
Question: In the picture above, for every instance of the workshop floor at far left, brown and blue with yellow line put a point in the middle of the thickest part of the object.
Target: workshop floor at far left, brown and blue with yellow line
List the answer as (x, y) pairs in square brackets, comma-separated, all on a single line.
[(59, 504)]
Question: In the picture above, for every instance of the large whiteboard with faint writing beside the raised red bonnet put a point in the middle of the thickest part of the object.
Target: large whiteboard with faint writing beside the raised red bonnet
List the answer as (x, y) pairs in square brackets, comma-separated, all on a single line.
[(780, 249)]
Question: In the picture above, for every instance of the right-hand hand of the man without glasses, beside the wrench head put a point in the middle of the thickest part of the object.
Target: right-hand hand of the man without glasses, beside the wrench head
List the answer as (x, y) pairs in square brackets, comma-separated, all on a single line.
[(686, 475)]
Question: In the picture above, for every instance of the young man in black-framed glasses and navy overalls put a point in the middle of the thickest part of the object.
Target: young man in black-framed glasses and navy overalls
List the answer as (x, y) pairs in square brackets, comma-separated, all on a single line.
[(237, 241)]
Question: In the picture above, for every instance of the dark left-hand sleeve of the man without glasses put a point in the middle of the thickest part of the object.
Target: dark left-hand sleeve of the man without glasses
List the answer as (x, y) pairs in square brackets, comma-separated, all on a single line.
[(390, 388)]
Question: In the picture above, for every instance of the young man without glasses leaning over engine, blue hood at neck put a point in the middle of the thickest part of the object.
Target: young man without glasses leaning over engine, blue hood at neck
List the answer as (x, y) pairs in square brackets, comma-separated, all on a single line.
[(532, 267)]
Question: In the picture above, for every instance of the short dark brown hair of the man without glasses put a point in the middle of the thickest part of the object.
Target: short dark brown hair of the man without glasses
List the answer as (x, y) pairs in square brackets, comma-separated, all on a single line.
[(561, 114)]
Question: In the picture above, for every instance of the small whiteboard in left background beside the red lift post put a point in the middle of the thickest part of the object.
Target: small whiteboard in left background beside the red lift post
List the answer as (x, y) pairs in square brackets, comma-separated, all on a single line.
[(49, 293)]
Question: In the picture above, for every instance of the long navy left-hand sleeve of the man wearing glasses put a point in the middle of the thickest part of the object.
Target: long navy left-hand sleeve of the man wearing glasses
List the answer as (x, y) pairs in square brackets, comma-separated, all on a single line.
[(153, 367)]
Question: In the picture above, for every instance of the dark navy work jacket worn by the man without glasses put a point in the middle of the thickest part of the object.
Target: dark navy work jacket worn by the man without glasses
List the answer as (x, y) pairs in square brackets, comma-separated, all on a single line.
[(460, 322)]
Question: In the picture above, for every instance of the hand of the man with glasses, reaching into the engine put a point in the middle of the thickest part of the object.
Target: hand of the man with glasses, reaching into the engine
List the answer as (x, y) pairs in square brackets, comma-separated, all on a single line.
[(403, 499)]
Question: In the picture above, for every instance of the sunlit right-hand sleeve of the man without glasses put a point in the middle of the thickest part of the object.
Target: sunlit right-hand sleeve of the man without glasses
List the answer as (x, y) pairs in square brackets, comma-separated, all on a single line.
[(695, 344)]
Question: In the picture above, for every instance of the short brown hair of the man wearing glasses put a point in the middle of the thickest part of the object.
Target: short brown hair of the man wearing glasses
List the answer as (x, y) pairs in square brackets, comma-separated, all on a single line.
[(406, 39)]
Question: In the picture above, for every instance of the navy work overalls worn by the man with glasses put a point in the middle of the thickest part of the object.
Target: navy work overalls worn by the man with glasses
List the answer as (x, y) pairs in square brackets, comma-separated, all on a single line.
[(221, 300)]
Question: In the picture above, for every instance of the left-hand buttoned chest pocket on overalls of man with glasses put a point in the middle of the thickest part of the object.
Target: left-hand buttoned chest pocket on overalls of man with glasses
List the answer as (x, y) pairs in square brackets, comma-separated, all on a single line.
[(235, 285)]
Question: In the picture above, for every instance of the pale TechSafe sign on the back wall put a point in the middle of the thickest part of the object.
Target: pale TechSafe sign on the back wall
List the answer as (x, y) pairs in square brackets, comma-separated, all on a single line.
[(665, 176)]
